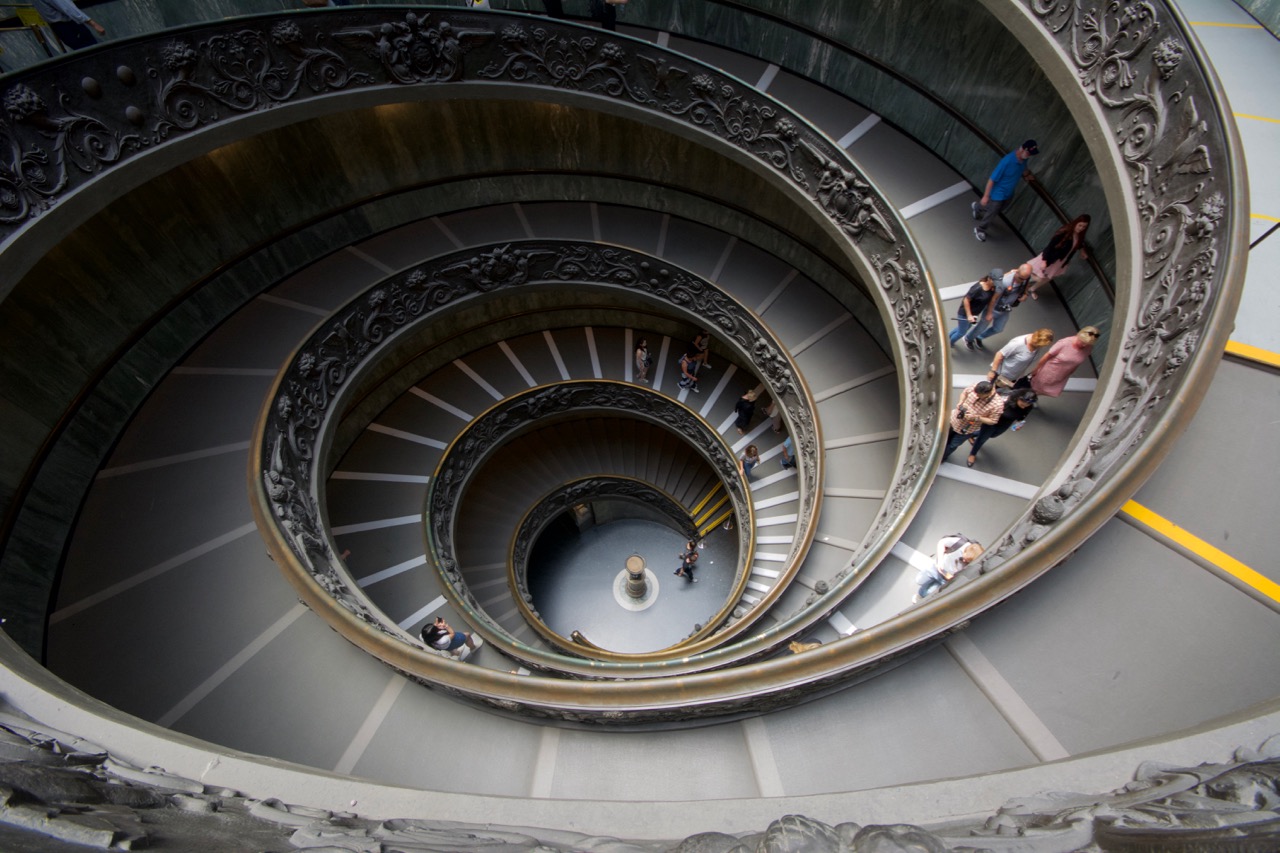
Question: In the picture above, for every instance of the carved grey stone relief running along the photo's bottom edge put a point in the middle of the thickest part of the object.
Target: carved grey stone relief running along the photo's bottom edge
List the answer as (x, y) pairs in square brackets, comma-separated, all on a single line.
[(63, 787)]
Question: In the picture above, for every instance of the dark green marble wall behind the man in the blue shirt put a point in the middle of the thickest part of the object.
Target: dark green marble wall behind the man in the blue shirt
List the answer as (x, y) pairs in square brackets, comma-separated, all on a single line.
[(961, 54)]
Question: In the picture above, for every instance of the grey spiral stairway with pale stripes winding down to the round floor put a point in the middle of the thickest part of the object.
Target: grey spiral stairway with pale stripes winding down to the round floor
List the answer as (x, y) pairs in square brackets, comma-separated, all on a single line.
[(170, 612)]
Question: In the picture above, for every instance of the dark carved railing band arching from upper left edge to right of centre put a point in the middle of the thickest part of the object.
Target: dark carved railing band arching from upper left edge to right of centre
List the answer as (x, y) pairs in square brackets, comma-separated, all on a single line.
[(124, 102)]
